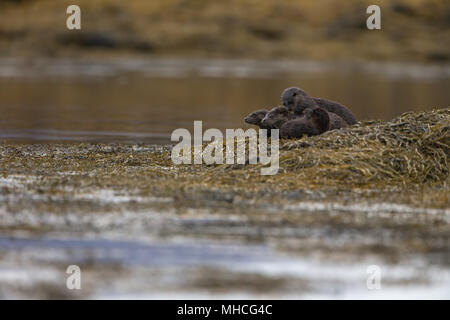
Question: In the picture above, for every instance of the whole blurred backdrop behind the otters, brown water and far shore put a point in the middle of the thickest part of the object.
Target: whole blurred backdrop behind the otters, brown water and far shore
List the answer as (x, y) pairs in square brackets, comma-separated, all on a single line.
[(139, 69)]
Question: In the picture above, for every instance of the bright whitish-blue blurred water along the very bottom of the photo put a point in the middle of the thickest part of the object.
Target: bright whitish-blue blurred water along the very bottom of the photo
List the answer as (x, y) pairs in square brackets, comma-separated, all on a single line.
[(138, 269)]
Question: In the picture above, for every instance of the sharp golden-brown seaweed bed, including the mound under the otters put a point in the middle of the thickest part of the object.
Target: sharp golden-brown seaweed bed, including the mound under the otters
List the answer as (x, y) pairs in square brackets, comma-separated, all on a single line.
[(406, 156)]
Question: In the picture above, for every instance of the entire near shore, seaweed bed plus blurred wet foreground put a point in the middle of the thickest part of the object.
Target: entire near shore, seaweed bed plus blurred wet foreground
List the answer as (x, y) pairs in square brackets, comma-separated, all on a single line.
[(342, 202)]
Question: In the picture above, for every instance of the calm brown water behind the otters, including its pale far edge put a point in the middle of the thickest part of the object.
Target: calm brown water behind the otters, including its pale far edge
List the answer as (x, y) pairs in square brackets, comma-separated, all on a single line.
[(145, 101)]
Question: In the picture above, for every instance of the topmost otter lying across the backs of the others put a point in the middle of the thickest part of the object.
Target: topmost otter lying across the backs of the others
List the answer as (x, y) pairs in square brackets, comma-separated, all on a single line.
[(298, 100)]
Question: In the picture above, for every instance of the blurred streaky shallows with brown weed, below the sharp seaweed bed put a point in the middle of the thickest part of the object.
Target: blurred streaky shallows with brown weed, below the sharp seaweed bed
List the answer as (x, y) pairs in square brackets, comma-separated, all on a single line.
[(144, 246)]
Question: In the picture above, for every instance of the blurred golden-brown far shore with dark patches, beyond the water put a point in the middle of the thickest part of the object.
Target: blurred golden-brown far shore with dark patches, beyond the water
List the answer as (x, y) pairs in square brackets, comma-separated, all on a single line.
[(411, 30)]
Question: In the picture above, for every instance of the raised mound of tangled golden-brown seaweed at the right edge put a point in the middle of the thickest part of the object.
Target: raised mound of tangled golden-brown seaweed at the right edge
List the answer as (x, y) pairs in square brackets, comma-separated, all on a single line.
[(410, 149)]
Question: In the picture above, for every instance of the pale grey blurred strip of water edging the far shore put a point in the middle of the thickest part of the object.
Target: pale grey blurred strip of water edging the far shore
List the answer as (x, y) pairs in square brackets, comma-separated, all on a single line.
[(211, 67)]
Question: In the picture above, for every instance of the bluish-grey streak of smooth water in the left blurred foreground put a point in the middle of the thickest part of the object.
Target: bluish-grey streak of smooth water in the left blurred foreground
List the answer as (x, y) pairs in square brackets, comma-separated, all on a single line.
[(101, 251)]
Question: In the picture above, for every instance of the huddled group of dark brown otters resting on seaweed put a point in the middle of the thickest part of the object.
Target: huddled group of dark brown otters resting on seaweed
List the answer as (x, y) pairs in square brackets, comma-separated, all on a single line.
[(301, 115)]
